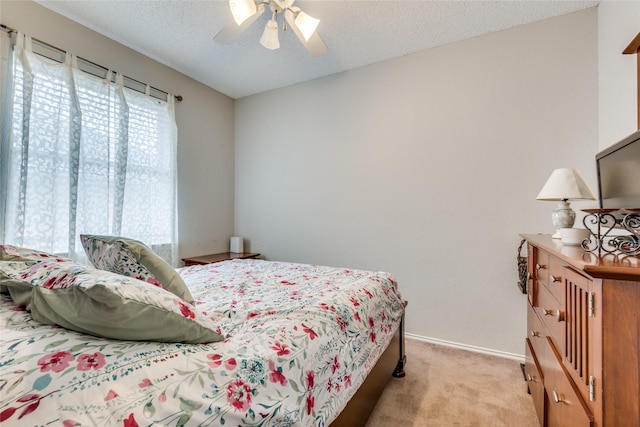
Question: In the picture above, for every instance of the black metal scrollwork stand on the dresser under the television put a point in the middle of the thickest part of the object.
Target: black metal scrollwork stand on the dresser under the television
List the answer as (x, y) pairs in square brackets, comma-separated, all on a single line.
[(602, 222)]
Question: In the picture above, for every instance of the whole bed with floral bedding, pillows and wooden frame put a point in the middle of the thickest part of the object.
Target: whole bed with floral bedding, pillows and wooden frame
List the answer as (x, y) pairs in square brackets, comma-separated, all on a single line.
[(274, 343)]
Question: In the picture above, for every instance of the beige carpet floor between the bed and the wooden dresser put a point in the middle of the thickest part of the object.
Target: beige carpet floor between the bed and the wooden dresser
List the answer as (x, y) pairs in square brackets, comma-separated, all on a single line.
[(447, 387)]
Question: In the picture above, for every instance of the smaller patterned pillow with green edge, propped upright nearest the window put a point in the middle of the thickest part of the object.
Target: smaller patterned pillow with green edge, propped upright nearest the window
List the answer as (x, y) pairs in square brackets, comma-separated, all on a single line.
[(133, 258)]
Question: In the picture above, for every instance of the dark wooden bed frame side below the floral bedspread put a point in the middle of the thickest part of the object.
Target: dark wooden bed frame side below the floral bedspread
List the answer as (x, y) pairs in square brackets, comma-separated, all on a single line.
[(391, 363)]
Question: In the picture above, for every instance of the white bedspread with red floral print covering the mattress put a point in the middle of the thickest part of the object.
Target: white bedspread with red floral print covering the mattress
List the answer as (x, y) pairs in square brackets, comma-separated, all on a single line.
[(300, 340)]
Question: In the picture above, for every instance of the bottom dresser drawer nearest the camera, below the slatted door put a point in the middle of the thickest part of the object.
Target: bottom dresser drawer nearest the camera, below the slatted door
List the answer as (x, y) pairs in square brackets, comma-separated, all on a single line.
[(565, 407)]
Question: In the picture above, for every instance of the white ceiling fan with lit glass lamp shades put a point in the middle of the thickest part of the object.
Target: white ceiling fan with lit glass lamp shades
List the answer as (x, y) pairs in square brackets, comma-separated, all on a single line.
[(245, 12)]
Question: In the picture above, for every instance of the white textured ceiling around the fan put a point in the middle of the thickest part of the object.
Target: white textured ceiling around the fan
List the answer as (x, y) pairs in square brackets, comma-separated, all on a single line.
[(180, 34)]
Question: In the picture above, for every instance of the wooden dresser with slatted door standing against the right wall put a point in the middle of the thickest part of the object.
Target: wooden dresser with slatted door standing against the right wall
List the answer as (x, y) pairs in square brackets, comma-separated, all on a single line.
[(583, 346)]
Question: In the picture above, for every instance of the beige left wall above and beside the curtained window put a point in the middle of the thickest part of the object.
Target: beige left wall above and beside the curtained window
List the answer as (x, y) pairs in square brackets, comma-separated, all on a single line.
[(204, 118)]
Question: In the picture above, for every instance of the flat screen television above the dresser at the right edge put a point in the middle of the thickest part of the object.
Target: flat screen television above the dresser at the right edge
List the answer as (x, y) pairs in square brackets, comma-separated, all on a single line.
[(618, 170)]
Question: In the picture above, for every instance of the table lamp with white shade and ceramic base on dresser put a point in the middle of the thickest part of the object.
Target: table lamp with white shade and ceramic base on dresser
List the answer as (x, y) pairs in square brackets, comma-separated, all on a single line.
[(563, 185)]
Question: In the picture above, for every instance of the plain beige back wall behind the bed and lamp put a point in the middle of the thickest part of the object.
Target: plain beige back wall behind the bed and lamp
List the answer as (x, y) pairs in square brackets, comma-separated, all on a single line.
[(426, 166)]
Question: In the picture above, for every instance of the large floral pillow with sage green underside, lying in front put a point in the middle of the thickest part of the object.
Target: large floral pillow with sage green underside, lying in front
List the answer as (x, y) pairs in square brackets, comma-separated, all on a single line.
[(109, 305)]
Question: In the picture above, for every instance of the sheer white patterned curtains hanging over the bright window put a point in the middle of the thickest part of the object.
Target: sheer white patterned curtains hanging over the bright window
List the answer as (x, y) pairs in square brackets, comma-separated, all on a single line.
[(85, 155)]
